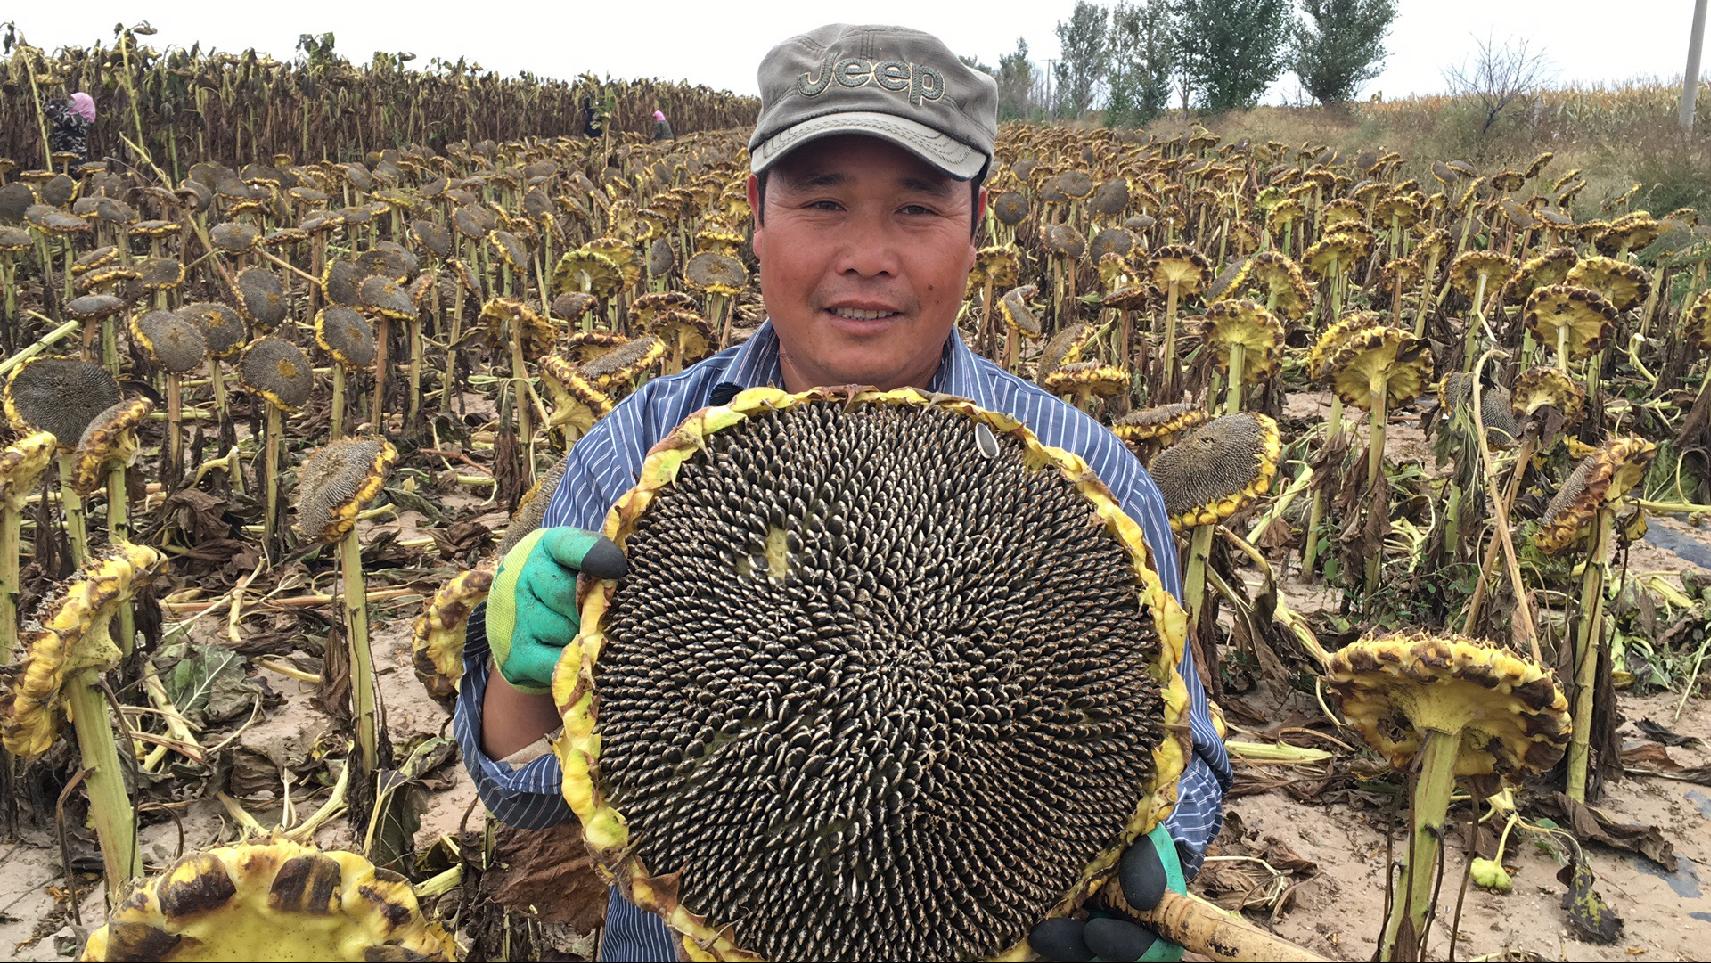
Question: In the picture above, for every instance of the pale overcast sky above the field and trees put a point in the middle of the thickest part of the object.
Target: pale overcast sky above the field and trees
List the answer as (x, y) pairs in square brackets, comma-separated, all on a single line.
[(719, 44)]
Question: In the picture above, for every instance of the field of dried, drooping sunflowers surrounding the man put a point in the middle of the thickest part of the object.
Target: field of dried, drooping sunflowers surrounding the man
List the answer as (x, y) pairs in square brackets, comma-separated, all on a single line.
[(283, 389)]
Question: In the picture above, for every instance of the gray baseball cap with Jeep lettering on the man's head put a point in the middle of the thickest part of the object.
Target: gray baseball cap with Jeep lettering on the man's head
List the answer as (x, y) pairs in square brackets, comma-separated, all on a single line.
[(892, 83)]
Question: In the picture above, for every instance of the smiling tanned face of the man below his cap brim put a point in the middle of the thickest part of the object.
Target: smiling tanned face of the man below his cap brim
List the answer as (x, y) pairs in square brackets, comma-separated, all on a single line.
[(865, 256)]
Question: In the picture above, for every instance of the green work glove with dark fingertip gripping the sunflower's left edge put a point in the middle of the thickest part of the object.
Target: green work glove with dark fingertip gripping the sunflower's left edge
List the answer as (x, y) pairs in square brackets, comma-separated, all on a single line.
[(533, 605)]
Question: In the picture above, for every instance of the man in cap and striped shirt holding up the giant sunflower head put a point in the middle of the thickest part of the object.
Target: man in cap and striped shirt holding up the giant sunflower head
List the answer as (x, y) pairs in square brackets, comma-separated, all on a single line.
[(867, 191)]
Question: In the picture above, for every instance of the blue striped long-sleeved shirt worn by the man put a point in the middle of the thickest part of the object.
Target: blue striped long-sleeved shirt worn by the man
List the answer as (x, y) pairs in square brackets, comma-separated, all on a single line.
[(607, 463)]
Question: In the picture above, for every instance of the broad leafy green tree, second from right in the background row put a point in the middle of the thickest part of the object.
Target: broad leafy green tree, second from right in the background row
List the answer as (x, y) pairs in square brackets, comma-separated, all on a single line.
[(1231, 50)]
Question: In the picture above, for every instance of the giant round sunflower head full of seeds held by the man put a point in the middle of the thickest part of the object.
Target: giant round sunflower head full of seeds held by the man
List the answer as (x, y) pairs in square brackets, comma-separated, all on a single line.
[(920, 514)]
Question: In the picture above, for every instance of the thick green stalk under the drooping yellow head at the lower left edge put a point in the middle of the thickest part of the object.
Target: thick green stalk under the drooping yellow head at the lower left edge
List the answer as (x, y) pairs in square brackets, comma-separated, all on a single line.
[(109, 803)]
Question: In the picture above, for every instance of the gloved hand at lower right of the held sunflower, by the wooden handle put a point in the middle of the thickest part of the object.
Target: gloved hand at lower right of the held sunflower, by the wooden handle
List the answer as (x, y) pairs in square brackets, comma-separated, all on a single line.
[(1146, 871)]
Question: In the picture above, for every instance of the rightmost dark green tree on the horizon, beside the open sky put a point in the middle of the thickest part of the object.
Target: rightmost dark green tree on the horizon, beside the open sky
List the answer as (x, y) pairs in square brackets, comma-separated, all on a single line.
[(1341, 45)]
